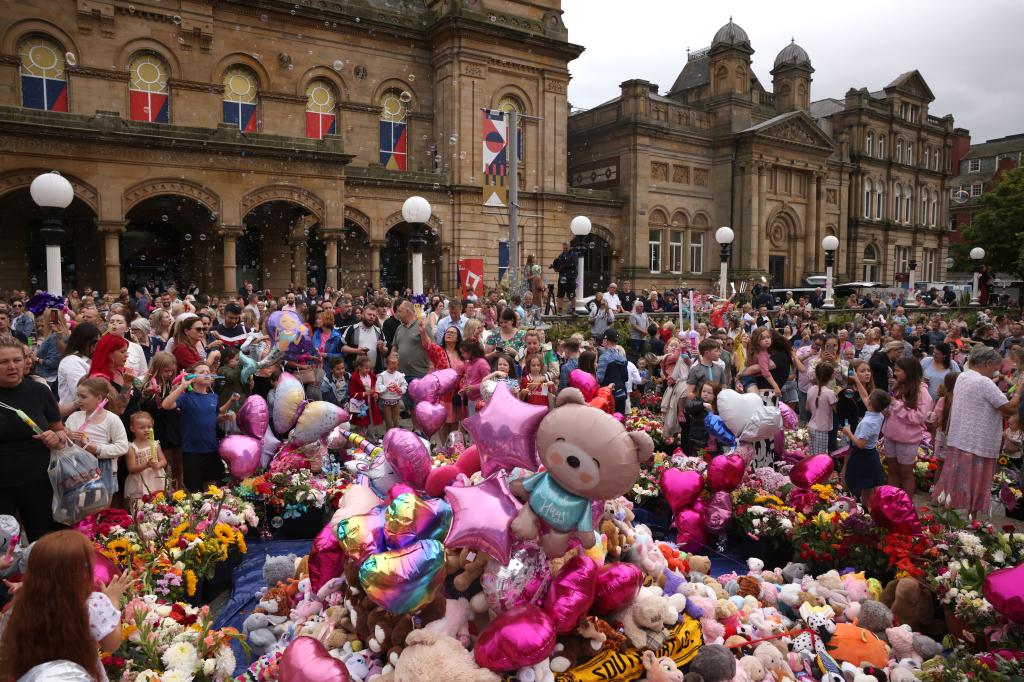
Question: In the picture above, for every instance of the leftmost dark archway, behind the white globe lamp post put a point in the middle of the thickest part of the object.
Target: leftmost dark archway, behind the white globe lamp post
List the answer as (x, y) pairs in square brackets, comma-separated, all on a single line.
[(81, 248)]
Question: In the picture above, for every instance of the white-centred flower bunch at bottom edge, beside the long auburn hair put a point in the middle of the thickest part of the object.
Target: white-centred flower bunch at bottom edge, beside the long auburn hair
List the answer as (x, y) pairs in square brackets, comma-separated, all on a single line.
[(172, 643)]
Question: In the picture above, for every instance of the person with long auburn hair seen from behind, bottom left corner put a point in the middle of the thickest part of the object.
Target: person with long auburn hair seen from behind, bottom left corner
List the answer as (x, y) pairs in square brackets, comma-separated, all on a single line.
[(57, 616)]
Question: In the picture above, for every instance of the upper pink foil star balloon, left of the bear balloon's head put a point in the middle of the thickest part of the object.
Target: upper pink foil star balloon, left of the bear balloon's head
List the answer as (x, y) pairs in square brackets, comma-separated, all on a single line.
[(505, 433)]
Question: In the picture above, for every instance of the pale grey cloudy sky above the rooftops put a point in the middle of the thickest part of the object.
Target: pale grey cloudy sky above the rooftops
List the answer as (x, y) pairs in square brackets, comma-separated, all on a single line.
[(971, 55)]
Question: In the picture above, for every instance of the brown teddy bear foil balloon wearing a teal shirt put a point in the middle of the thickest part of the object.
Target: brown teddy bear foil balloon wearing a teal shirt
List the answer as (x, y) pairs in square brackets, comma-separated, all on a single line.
[(588, 455)]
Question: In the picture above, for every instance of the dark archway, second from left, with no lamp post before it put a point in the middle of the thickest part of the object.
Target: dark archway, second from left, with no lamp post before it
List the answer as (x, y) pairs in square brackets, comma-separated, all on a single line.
[(172, 240)]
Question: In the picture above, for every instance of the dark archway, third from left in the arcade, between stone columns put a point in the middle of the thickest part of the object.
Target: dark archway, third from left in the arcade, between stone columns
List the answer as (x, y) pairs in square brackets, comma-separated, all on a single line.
[(265, 252)]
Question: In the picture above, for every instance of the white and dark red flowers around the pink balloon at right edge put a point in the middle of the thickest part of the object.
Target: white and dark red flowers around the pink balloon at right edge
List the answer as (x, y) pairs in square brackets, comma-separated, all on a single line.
[(973, 551)]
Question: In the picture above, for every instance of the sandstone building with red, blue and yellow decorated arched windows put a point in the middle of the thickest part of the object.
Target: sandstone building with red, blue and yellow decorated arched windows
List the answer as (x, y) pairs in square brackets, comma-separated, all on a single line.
[(276, 142)]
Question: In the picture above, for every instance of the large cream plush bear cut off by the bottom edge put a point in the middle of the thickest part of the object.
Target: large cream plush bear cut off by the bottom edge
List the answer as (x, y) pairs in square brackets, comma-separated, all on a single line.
[(430, 657)]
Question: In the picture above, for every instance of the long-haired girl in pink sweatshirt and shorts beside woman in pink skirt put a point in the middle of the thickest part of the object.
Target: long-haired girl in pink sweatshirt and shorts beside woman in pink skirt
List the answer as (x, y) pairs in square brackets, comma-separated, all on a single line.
[(907, 422)]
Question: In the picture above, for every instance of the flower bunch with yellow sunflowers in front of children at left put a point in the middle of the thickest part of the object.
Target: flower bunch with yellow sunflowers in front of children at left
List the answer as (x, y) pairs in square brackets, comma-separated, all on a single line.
[(173, 541)]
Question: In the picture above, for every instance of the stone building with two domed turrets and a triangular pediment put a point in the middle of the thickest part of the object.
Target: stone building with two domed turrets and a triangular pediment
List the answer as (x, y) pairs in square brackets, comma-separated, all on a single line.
[(785, 172)]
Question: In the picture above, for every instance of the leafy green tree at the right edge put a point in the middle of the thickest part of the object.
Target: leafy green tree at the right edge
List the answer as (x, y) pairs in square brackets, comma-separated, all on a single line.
[(999, 227)]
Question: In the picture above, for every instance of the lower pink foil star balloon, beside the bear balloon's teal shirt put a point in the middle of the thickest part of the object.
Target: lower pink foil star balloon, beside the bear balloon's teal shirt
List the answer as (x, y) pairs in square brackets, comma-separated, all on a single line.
[(482, 516)]
